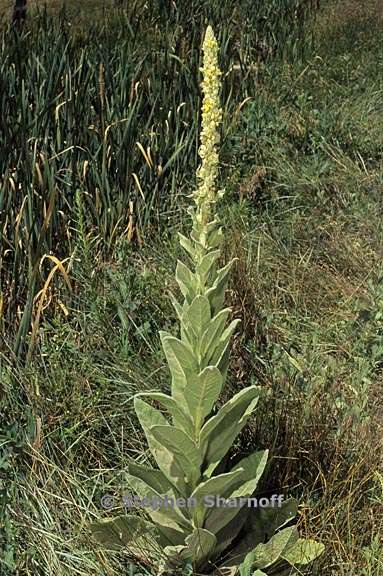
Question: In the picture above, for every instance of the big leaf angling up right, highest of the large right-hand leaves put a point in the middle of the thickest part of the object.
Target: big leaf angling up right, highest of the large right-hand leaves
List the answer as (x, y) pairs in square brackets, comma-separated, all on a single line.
[(220, 431)]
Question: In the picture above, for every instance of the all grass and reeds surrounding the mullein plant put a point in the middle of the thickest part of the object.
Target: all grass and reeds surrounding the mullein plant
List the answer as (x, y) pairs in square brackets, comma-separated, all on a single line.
[(98, 144)]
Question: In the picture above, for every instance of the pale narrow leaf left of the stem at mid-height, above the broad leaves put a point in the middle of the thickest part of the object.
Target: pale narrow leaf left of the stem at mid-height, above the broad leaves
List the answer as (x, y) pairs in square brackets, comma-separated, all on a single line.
[(182, 363)]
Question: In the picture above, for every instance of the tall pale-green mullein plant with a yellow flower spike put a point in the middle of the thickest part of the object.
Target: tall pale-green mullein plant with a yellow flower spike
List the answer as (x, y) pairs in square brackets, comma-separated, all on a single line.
[(189, 437)]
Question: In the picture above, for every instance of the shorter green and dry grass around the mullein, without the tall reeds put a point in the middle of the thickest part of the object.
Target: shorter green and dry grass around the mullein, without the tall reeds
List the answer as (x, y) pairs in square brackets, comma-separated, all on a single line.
[(304, 181)]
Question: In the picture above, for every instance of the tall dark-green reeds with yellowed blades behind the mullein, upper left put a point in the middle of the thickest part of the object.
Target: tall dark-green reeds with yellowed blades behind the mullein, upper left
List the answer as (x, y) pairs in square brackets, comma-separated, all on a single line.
[(110, 118)]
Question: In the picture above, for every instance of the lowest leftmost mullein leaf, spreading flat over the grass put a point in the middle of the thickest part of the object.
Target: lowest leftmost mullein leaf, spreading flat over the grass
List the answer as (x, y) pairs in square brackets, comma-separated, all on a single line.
[(119, 532)]
